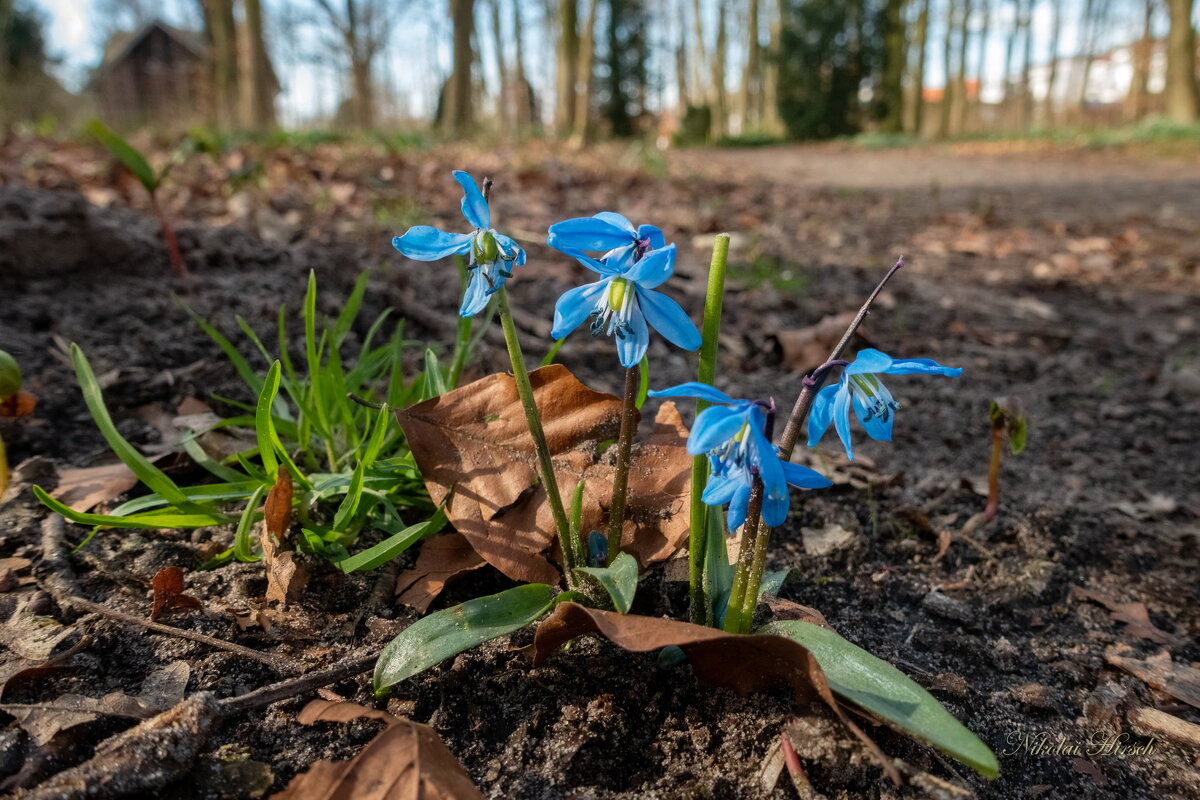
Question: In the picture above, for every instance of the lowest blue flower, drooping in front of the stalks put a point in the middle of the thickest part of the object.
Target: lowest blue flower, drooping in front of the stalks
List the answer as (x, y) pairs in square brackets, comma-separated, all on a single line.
[(733, 436)]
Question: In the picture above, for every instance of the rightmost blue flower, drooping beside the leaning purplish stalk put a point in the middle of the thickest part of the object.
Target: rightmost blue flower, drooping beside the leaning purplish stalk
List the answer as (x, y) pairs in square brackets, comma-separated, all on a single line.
[(861, 388)]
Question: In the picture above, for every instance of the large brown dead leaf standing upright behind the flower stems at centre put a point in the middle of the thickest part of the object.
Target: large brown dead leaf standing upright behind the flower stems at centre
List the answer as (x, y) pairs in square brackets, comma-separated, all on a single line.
[(476, 441)]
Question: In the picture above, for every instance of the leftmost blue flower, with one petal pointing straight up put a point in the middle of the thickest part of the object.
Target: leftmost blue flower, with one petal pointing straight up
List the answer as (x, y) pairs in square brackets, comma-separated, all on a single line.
[(491, 256)]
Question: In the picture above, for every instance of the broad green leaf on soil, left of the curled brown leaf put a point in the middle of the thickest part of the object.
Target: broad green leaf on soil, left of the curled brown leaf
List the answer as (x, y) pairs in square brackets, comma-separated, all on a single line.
[(451, 631)]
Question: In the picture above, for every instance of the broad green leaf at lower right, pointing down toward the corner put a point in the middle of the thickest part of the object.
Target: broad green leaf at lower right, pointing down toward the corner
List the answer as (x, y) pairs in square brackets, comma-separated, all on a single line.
[(875, 685)]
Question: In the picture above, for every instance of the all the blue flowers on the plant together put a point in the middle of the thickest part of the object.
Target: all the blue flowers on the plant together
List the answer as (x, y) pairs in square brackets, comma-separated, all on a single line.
[(633, 262)]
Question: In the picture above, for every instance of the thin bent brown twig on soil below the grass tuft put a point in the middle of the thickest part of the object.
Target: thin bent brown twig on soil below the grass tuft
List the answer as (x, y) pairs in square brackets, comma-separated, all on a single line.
[(61, 582)]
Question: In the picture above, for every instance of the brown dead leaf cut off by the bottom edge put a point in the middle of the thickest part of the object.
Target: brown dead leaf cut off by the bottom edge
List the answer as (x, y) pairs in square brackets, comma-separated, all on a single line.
[(407, 761)]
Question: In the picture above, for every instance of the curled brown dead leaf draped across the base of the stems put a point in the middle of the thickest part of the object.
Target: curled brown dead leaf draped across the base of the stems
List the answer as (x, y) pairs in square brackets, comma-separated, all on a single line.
[(742, 663)]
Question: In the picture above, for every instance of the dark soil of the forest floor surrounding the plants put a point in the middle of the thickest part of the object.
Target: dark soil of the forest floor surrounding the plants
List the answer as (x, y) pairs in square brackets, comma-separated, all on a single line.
[(1084, 303)]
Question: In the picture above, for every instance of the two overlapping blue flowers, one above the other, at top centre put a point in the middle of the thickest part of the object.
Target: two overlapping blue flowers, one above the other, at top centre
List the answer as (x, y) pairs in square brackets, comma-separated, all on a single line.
[(623, 303)]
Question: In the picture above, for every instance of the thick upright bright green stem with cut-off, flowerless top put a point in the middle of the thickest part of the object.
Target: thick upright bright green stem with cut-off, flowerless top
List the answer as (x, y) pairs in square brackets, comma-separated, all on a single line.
[(706, 374)]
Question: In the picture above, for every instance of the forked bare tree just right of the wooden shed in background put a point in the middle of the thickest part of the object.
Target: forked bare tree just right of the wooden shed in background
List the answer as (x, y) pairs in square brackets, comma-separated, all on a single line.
[(362, 29)]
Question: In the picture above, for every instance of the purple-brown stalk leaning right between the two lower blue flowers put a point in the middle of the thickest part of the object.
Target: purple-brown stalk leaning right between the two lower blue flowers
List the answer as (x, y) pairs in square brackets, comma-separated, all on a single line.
[(757, 537)]
